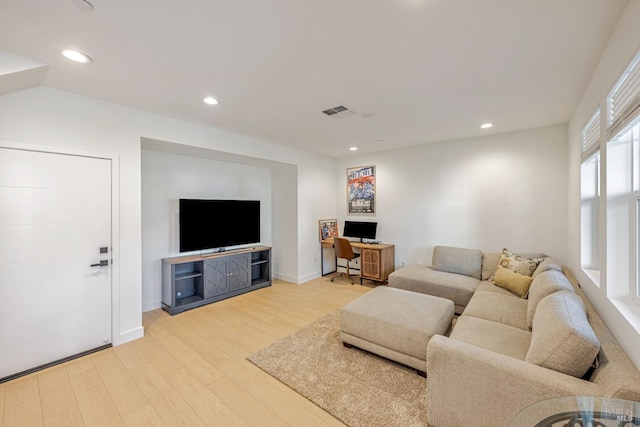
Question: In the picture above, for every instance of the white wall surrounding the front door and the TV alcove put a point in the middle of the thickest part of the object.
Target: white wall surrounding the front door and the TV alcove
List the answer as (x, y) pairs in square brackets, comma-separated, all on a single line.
[(50, 117)]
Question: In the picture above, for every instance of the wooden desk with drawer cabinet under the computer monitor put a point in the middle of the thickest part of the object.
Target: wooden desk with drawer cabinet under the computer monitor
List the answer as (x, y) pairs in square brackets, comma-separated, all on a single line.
[(377, 259)]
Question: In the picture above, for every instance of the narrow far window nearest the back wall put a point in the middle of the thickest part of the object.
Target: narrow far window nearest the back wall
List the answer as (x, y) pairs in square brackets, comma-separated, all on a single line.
[(590, 197)]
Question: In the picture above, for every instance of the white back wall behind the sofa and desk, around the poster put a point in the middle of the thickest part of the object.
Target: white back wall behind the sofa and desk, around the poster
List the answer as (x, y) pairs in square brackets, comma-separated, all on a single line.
[(487, 193)]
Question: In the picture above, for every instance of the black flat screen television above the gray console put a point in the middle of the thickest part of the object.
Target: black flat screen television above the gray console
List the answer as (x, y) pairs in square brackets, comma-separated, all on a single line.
[(213, 224)]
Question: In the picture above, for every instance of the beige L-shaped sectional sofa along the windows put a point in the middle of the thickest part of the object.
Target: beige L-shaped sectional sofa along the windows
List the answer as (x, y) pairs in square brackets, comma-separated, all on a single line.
[(506, 352)]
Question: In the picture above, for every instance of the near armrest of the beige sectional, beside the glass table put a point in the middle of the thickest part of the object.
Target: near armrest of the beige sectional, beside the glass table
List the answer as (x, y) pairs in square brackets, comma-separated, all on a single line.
[(468, 384)]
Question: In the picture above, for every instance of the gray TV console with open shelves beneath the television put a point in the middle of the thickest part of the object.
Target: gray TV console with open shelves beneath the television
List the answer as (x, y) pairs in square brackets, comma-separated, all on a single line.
[(192, 281)]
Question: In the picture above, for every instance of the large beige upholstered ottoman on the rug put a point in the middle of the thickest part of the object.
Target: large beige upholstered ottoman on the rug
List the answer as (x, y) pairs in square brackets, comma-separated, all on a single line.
[(396, 324)]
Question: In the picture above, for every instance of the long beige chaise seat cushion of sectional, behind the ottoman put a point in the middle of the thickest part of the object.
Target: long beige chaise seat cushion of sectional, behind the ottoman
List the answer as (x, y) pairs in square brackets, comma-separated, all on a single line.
[(420, 278)]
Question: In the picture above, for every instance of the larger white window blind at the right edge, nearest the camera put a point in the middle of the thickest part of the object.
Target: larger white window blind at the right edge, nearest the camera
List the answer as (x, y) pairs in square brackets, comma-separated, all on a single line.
[(624, 99)]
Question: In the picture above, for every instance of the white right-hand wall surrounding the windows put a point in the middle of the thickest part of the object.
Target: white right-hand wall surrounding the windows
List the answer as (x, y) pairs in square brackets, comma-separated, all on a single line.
[(622, 47)]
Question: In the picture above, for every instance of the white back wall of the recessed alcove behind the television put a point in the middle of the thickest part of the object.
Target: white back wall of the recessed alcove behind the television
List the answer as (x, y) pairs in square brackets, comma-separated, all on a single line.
[(166, 178)]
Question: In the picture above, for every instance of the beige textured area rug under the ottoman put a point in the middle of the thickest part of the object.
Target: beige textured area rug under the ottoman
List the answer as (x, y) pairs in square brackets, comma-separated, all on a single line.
[(357, 387)]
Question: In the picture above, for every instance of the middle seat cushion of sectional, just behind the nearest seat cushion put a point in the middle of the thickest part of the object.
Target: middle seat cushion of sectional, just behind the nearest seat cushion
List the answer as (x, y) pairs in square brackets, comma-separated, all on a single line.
[(504, 309)]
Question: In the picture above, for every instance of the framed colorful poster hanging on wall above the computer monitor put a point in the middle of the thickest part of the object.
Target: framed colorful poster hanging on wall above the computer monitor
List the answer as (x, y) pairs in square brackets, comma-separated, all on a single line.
[(361, 190)]
